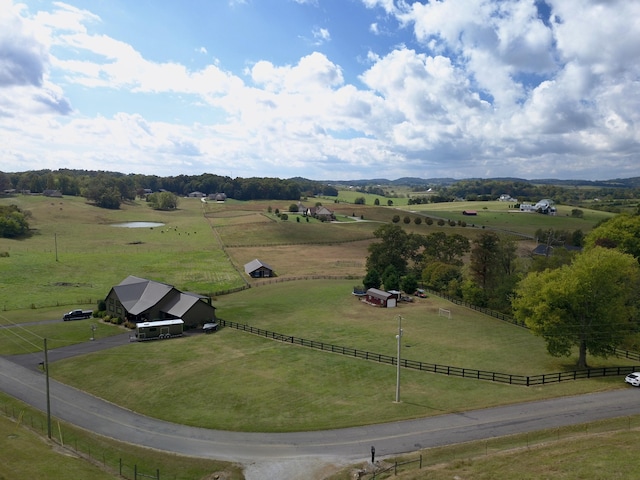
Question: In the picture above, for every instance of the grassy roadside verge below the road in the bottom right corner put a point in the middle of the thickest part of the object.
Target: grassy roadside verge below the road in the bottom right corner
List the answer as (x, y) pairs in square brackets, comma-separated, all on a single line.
[(603, 449)]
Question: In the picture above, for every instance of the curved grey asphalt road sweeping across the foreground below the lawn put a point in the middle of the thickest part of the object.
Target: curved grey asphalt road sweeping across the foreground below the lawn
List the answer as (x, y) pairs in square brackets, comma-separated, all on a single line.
[(347, 445)]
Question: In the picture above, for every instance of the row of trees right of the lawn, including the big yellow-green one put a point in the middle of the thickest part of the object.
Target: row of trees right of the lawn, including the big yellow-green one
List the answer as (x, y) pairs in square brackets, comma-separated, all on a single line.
[(586, 299)]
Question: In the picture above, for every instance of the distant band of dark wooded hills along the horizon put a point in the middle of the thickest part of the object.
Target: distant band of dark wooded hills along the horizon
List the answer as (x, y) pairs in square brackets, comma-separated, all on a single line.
[(97, 185)]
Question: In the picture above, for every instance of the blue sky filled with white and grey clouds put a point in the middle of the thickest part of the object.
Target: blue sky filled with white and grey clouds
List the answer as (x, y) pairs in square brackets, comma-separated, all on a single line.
[(323, 89)]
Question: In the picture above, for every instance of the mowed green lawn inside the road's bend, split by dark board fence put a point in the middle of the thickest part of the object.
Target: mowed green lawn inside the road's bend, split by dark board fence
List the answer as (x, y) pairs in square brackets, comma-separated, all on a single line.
[(237, 381)]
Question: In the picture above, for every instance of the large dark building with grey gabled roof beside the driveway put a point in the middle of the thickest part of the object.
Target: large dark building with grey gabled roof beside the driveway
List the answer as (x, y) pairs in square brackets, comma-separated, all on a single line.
[(138, 300)]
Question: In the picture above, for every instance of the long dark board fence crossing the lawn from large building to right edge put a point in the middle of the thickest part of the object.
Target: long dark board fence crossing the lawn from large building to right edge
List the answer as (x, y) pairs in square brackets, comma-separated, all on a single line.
[(523, 380)]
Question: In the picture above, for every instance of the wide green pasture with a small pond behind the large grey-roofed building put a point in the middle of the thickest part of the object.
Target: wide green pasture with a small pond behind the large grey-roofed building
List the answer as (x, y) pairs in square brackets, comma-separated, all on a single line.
[(75, 255)]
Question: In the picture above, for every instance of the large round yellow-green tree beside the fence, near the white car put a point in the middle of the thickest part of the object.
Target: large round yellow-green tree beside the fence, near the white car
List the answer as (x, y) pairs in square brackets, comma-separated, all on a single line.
[(590, 304)]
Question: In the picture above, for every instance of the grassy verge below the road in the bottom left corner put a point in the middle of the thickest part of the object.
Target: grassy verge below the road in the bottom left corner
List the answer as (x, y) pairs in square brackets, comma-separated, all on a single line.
[(73, 453)]
